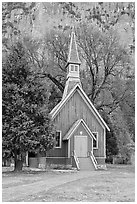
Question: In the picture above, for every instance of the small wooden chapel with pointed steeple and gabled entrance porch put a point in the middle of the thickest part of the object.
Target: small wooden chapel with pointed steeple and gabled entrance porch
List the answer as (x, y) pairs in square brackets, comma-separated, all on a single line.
[(81, 131)]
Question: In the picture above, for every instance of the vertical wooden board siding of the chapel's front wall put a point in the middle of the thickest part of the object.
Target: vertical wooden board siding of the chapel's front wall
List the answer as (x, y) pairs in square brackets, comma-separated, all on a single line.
[(73, 110)]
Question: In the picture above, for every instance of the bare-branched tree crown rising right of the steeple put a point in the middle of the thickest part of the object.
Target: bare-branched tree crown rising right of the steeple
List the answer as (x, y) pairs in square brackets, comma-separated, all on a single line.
[(105, 60)]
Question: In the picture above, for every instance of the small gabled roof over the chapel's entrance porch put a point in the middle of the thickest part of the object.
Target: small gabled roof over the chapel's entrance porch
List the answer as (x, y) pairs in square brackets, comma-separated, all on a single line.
[(74, 128)]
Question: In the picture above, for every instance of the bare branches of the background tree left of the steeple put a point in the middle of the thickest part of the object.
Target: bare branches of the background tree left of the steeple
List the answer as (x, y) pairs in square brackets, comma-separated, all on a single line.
[(51, 61)]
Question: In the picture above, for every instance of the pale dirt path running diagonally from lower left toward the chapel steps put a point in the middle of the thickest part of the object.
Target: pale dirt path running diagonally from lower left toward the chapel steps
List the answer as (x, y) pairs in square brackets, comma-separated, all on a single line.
[(17, 192)]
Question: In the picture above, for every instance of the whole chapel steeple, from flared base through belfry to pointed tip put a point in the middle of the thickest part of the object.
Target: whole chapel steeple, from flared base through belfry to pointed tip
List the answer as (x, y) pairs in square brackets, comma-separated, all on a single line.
[(73, 65)]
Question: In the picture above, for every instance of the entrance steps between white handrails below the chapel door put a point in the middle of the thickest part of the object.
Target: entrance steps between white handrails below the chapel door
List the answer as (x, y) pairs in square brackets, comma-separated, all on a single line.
[(85, 163)]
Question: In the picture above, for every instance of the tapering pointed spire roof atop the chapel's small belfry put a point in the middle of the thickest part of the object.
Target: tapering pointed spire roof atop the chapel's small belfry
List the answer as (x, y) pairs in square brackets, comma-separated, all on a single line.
[(73, 56)]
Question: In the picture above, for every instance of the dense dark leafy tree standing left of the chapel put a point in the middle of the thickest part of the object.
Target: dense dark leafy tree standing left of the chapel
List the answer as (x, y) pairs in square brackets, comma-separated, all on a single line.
[(26, 122)]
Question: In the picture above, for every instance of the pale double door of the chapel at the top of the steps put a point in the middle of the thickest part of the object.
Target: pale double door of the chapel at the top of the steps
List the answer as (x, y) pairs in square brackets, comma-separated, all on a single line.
[(80, 144)]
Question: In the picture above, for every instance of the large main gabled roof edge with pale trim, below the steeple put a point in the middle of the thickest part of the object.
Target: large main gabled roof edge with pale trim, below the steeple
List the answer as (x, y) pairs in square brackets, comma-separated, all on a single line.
[(77, 87)]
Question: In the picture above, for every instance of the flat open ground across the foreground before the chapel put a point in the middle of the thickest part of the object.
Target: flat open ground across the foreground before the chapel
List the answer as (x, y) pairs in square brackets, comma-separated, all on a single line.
[(115, 184)]
